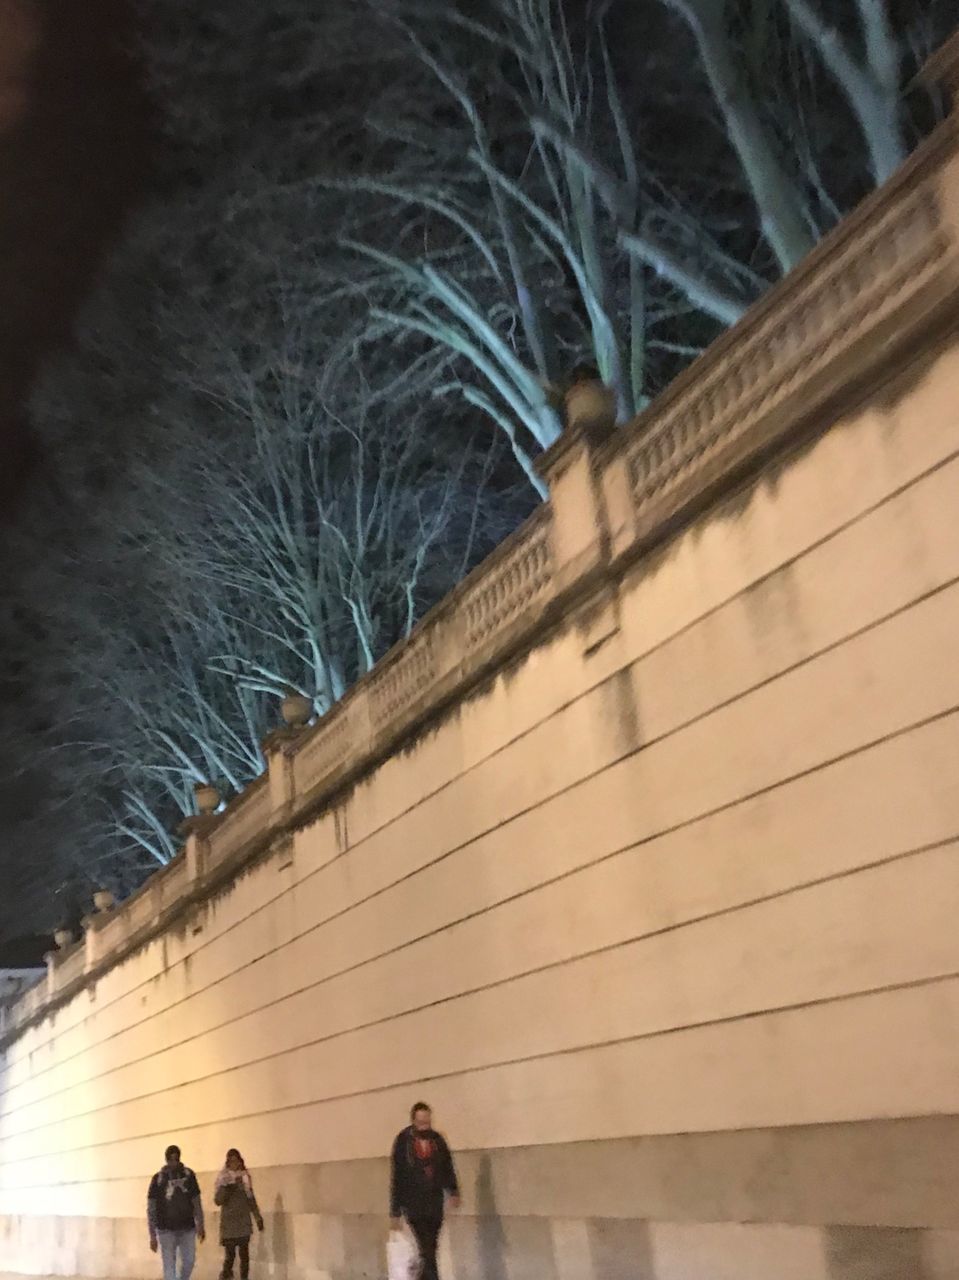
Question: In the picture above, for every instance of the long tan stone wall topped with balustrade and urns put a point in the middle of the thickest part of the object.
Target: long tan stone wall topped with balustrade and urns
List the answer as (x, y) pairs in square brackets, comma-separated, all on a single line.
[(638, 862)]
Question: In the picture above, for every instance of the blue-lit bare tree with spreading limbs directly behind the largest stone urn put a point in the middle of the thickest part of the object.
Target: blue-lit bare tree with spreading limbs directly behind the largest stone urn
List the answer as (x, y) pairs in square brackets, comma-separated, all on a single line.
[(515, 273)]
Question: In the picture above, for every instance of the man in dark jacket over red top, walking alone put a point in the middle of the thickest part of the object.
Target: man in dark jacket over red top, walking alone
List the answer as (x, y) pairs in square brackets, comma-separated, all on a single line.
[(422, 1178)]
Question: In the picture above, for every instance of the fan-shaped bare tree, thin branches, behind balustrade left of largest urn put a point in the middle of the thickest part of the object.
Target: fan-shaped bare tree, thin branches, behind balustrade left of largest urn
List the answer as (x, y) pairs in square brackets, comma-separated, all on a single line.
[(339, 518)]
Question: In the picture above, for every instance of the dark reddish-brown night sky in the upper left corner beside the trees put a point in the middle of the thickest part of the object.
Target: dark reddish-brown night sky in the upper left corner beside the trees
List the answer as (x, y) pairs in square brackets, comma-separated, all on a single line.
[(74, 162)]
